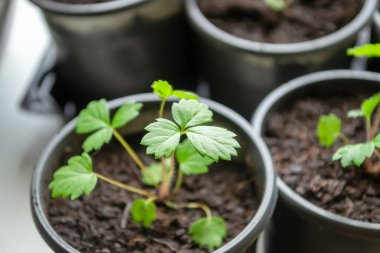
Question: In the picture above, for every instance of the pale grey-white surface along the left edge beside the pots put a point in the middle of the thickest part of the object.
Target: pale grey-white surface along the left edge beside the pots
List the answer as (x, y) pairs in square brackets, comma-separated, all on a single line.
[(22, 135)]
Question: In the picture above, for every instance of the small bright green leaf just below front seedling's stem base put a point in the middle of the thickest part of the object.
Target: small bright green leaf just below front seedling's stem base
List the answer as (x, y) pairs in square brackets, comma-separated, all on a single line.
[(143, 212)]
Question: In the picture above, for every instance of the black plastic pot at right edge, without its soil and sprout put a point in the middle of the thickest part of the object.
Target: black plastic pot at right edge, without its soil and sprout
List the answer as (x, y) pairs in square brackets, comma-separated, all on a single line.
[(299, 226)]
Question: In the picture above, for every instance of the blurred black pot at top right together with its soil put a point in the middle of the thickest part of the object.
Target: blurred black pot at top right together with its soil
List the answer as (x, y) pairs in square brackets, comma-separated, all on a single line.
[(249, 68)]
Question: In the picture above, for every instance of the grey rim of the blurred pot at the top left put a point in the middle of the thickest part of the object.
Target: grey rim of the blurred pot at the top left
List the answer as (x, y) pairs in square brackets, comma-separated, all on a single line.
[(87, 9)]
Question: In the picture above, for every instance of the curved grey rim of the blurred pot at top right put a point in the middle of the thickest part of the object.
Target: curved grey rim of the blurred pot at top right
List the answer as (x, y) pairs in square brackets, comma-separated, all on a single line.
[(203, 25)]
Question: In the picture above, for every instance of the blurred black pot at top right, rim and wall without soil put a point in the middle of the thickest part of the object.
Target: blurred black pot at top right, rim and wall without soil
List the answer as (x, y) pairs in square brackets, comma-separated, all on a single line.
[(241, 72)]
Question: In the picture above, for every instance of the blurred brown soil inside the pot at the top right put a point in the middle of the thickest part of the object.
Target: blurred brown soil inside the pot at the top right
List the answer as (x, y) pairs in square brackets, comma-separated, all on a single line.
[(302, 20)]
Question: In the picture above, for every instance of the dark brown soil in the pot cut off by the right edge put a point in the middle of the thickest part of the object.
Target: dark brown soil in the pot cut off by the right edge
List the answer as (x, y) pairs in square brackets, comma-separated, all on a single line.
[(308, 168)]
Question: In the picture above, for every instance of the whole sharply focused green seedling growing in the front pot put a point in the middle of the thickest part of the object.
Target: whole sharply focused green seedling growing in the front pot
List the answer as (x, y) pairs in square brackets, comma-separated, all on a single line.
[(183, 145)]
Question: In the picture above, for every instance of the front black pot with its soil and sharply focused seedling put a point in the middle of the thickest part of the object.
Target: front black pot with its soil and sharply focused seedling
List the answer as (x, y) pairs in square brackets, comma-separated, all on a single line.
[(156, 218)]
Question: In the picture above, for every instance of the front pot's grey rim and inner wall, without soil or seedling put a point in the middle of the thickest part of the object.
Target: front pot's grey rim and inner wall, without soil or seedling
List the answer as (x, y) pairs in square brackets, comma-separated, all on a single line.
[(253, 154)]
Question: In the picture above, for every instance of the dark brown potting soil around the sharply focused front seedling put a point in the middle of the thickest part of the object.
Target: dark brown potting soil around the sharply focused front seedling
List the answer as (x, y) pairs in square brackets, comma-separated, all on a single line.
[(95, 223)]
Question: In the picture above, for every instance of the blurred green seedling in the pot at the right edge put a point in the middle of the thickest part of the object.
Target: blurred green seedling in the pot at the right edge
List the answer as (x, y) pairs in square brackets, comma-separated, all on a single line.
[(329, 131)]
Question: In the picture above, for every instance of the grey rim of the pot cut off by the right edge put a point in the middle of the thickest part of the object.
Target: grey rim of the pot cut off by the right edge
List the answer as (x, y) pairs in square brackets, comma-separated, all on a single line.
[(285, 191)]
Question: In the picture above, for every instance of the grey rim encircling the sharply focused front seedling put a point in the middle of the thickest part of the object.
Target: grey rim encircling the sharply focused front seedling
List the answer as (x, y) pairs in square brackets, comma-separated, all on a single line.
[(245, 237)]
